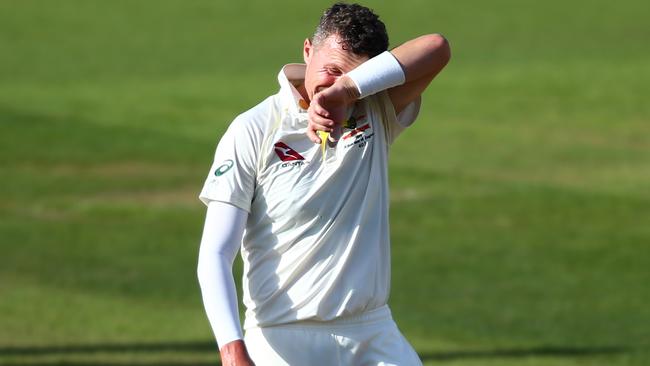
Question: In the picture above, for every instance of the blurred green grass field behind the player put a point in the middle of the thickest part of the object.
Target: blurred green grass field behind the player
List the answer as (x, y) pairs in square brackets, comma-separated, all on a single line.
[(520, 199)]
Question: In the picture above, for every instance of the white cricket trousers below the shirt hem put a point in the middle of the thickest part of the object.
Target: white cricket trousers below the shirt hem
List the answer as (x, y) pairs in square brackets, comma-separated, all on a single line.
[(368, 339)]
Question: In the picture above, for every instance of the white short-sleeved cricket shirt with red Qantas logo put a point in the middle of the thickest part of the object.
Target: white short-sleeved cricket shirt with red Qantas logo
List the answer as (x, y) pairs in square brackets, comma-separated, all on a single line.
[(316, 245)]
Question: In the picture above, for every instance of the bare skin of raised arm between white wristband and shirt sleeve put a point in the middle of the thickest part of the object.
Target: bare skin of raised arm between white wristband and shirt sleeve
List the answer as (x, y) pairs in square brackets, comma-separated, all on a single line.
[(421, 58)]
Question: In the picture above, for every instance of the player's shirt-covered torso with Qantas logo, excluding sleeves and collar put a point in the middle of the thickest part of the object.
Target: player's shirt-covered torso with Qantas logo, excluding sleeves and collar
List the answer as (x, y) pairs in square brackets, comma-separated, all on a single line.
[(316, 243)]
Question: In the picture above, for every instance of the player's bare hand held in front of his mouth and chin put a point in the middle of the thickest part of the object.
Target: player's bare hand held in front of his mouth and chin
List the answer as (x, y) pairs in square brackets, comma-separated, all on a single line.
[(329, 108)]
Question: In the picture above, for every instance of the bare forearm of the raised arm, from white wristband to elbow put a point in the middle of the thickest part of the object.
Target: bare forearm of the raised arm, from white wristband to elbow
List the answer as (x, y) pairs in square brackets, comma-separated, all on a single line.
[(423, 57)]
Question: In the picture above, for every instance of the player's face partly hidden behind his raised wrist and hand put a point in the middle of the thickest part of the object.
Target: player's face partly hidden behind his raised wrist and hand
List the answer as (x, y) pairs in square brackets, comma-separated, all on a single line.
[(326, 62)]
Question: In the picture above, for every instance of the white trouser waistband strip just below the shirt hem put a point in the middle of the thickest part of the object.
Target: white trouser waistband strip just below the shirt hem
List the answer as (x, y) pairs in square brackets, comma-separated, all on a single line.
[(371, 316)]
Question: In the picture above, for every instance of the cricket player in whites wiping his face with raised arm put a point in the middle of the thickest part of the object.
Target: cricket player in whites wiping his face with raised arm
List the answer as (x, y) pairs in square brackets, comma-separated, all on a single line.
[(299, 185)]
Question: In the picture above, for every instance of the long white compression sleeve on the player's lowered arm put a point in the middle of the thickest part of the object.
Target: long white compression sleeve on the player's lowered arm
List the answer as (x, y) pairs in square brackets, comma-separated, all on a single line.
[(222, 234)]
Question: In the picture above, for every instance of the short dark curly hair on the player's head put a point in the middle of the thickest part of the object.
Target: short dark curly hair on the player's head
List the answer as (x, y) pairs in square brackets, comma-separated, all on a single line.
[(358, 28)]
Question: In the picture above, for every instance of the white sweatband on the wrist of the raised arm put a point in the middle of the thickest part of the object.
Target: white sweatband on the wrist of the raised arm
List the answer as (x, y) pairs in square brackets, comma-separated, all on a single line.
[(379, 73)]
